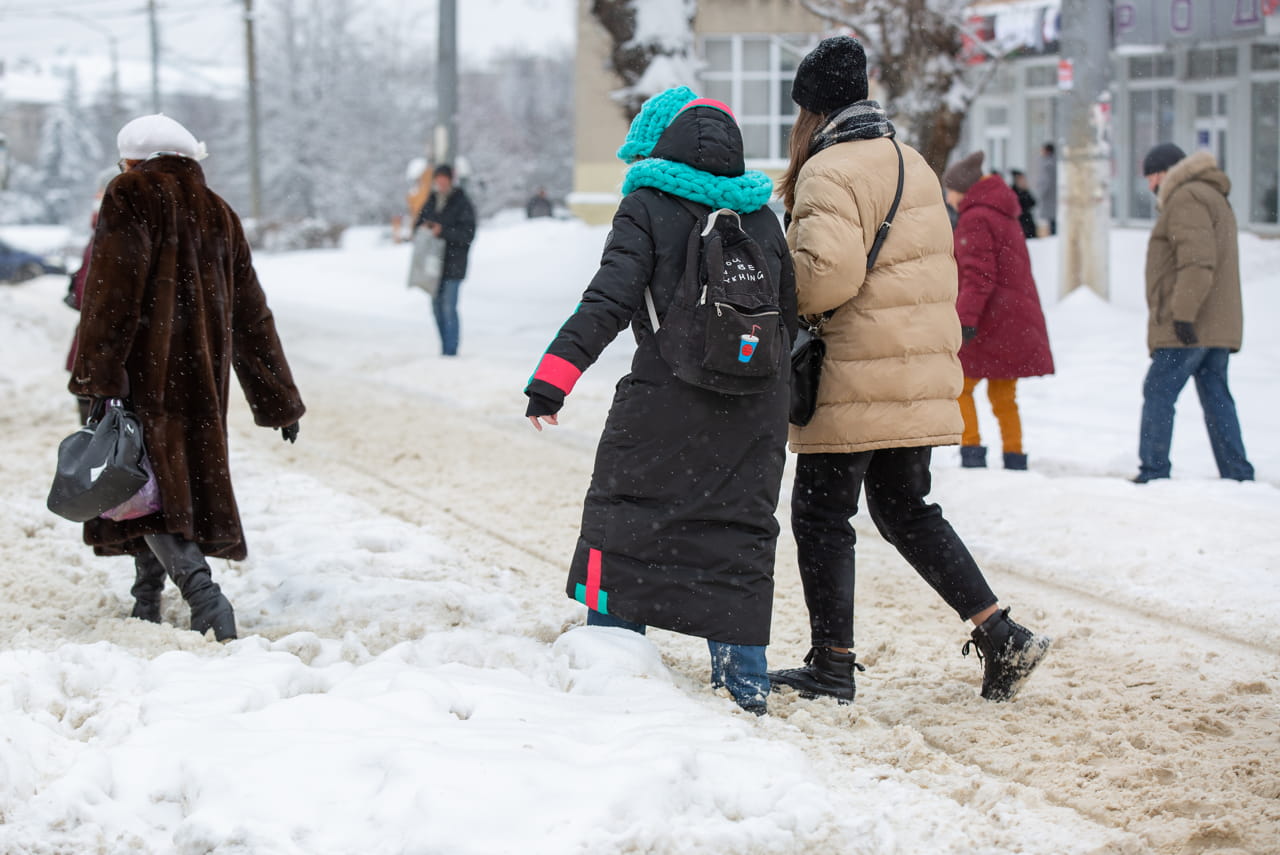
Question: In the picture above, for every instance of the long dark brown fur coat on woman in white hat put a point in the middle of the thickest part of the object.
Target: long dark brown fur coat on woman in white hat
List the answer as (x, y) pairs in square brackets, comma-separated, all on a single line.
[(172, 305)]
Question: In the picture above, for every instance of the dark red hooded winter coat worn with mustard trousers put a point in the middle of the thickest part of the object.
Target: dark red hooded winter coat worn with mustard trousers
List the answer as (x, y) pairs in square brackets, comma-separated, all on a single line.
[(998, 294)]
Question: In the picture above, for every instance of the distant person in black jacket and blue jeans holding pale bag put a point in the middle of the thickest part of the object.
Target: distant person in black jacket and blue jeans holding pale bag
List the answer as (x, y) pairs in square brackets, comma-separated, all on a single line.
[(449, 214)]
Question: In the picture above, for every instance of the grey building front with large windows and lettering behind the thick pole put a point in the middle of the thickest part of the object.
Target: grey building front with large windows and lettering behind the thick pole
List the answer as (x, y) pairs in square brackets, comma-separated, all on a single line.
[(1200, 74)]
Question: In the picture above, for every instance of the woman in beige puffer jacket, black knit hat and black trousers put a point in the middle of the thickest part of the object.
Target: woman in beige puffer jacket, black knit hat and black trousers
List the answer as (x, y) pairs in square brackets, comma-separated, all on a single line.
[(890, 380)]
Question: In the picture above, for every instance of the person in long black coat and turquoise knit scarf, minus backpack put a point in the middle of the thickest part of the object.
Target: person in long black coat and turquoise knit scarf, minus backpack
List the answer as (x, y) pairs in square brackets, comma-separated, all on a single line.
[(679, 527)]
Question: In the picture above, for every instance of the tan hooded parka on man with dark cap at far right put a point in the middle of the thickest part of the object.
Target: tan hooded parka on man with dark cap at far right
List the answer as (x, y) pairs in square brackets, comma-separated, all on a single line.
[(1194, 263)]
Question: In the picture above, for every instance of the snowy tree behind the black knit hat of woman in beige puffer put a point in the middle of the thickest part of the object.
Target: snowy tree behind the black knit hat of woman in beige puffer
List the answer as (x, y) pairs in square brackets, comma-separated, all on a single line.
[(917, 47)]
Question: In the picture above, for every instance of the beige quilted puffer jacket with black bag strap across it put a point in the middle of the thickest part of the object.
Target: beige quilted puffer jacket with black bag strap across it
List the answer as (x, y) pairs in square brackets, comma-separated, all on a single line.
[(892, 377)]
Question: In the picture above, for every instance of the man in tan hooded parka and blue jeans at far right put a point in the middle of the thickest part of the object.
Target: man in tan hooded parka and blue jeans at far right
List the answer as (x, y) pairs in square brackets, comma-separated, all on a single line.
[(1194, 299)]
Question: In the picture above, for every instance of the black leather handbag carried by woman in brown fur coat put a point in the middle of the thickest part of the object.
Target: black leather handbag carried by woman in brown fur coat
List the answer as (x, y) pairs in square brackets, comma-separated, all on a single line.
[(100, 467)]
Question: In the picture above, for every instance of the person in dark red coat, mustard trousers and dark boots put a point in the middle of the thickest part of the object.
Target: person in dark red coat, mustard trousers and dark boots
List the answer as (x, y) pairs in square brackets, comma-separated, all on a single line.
[(1005, 337)]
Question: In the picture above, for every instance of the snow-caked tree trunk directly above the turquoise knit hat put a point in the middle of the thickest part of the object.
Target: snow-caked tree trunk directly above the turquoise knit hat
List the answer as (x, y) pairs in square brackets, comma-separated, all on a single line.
[(653, 47)]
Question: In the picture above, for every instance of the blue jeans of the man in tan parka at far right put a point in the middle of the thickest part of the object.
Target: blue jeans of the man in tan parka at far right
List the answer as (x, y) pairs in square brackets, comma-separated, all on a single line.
[(1171, 371)]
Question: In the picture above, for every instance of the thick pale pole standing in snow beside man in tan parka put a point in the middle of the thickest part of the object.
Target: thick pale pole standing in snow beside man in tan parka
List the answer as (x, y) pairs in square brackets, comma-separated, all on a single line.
[(1085, 164)]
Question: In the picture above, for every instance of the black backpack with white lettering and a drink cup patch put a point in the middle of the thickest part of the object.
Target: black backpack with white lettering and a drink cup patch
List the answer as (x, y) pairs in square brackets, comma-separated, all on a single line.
[(724, 328)]
